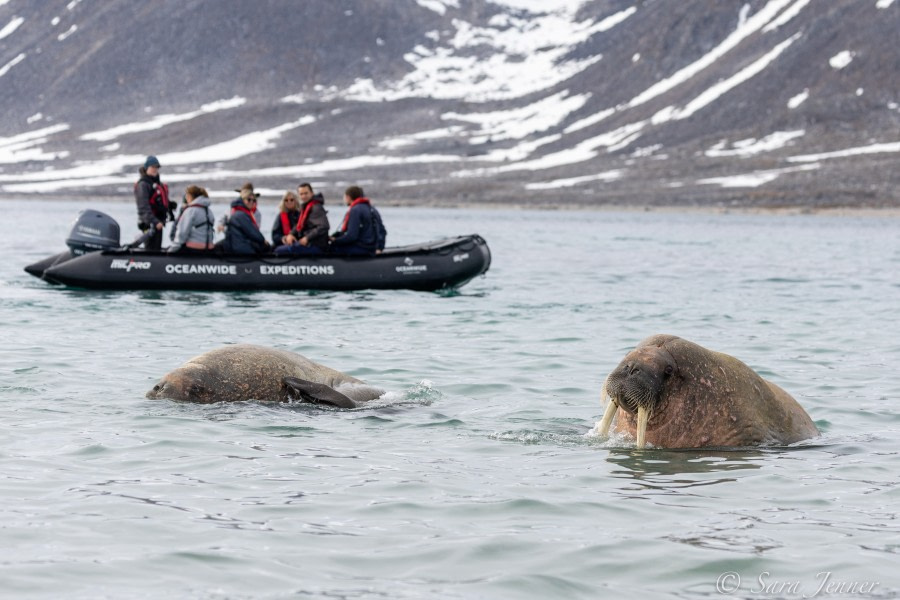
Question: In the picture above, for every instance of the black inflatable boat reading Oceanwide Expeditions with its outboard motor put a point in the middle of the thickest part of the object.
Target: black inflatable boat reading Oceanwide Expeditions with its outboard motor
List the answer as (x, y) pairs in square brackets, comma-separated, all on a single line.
[(95, 260)]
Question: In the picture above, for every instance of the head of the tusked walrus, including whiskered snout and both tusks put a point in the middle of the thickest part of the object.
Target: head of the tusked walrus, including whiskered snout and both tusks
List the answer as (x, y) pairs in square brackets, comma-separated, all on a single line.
[(637, 385)]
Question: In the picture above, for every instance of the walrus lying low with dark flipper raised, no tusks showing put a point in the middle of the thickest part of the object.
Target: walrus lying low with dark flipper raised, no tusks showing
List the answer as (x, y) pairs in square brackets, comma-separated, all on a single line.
[(247, 372)]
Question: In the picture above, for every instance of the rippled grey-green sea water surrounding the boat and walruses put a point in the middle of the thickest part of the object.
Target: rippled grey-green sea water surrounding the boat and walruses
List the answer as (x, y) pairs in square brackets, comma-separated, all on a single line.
[(476, 476)]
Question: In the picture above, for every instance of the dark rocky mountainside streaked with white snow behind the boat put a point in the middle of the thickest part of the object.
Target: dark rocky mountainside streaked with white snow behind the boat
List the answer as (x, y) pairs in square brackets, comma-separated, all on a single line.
[(665, 102)]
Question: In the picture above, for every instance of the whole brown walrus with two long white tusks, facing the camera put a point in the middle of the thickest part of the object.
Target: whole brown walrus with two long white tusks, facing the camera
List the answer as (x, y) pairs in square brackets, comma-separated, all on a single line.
[(675, 394)]
